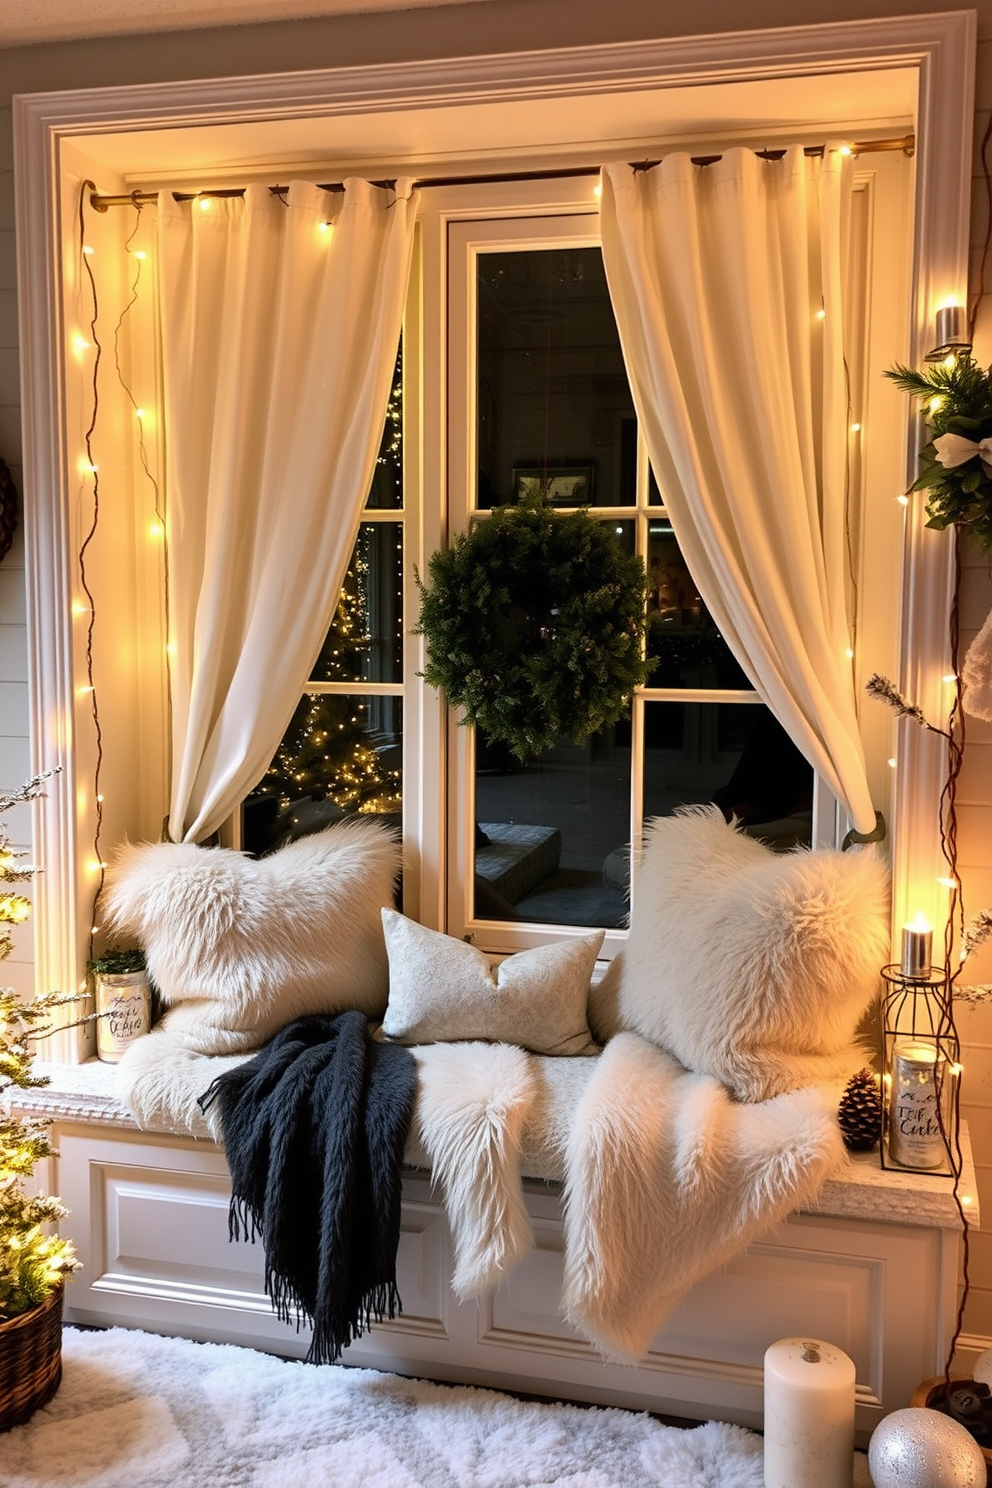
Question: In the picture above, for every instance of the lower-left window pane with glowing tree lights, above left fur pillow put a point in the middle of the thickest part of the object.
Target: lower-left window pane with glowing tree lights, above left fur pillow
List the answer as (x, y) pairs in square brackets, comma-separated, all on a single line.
[(340, 755)]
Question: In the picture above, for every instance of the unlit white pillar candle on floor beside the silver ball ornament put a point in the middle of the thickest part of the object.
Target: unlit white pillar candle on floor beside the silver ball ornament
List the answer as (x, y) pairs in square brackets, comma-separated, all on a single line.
[(808, 1416)]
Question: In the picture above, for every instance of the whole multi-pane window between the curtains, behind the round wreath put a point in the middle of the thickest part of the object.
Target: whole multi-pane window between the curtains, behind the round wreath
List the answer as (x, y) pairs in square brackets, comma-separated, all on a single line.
[(535, 397)]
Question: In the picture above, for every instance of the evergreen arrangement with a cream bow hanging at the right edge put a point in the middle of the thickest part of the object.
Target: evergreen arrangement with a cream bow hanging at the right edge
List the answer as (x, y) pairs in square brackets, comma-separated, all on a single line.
[(957, 464)]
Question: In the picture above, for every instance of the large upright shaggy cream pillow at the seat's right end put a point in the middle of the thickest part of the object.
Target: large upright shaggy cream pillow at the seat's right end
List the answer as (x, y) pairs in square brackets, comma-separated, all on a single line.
[(749, 965)]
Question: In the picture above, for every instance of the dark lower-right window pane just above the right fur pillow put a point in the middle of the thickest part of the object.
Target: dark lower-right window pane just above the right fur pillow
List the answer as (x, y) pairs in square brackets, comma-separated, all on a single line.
[(734, 754)]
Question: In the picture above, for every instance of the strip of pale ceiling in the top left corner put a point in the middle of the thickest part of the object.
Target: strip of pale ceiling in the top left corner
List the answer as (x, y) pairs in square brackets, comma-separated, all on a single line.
[(28, 22)]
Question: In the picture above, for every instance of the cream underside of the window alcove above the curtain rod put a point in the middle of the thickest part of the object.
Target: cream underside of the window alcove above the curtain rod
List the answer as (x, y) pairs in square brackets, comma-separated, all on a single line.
[(611, 126)]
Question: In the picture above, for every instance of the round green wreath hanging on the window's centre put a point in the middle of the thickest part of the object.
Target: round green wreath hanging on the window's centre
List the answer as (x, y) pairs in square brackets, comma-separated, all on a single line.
[(535, 626)]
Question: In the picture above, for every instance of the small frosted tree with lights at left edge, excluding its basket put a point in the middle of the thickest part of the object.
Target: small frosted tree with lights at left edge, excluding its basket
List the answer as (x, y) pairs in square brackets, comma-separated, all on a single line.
[(32, 1261)]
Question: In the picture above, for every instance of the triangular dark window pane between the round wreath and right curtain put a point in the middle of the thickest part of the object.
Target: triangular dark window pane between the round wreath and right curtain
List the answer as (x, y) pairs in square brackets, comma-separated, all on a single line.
[(682, 638)]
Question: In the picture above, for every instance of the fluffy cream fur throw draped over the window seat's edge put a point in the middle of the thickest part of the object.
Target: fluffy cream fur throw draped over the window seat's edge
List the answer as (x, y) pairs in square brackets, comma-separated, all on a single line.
[(666, 1176)]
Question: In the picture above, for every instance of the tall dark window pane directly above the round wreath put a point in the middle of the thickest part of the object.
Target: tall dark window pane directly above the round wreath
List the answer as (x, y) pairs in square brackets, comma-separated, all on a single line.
[(554, 407)]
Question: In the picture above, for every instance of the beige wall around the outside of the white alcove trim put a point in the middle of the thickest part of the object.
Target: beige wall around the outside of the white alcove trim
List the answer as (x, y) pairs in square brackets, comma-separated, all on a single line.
[(493, 28)]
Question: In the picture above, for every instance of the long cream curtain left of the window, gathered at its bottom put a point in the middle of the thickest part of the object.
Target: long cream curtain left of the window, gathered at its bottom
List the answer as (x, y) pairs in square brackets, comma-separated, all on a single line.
[(280, 330)]
